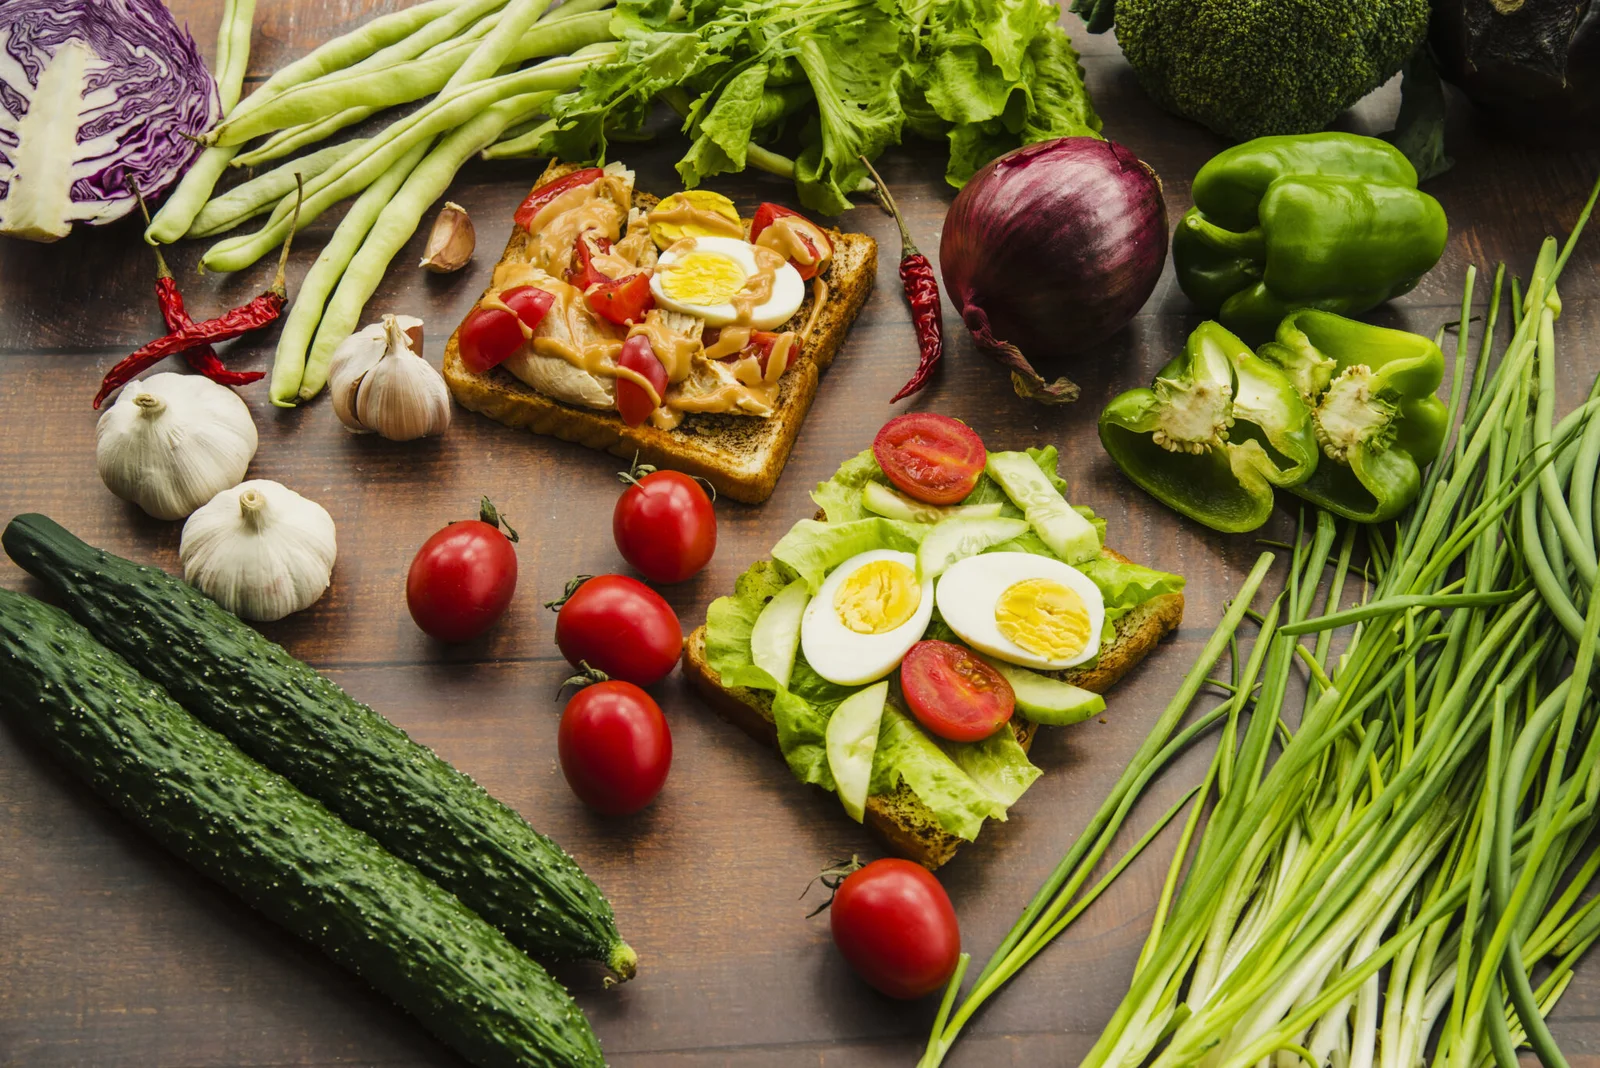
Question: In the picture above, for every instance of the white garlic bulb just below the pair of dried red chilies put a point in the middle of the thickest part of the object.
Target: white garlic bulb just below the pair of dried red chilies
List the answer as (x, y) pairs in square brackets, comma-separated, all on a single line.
[(172, 442)]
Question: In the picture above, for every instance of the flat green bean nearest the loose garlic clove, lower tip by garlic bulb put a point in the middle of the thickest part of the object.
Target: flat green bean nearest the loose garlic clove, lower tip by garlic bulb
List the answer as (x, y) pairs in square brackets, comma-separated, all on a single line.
[(399, 221)]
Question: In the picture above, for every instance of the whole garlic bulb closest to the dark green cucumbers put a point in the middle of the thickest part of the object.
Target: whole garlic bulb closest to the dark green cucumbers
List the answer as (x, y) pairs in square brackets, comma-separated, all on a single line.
[(260, 551)]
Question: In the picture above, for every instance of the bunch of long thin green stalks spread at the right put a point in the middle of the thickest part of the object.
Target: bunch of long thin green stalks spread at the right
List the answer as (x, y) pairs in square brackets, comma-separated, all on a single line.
[(1406, 872)]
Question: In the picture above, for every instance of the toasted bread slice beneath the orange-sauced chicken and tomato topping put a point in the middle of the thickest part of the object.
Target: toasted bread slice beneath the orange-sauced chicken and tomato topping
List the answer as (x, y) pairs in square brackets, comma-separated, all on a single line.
[(742, 456)]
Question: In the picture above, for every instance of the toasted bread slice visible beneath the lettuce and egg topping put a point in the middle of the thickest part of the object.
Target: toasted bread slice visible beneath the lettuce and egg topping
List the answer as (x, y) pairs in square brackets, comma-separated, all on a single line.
[(900, 818)]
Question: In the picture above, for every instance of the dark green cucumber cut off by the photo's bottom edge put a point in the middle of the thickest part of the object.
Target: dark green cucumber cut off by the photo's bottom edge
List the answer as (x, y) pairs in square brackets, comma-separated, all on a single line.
[(284, 853)]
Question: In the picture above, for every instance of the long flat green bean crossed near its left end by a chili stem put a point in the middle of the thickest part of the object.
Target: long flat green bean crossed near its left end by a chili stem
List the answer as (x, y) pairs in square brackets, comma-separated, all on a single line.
[(348, 177)]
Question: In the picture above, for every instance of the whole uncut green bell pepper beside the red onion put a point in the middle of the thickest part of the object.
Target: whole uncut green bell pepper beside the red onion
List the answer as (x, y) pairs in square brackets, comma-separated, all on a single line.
[(1332, 221)]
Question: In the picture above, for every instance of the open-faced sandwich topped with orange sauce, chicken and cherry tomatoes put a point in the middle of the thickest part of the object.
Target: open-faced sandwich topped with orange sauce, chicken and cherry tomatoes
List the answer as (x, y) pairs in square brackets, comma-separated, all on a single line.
[(668, 330)]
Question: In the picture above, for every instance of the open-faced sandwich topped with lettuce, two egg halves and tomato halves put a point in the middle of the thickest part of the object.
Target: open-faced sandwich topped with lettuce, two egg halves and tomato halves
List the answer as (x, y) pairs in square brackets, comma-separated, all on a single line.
[(903, 647)]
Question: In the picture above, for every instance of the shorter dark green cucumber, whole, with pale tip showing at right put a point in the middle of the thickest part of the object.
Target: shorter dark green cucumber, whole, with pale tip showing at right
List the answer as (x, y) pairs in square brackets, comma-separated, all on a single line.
[(338, 751)]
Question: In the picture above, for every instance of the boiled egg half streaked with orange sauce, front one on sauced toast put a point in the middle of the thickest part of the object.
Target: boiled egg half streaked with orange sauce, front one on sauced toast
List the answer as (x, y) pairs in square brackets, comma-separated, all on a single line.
[(703, 276)]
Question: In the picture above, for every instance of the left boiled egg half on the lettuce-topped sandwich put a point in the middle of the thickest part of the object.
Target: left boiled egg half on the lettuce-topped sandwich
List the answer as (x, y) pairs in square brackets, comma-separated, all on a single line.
[(865, 618)]
